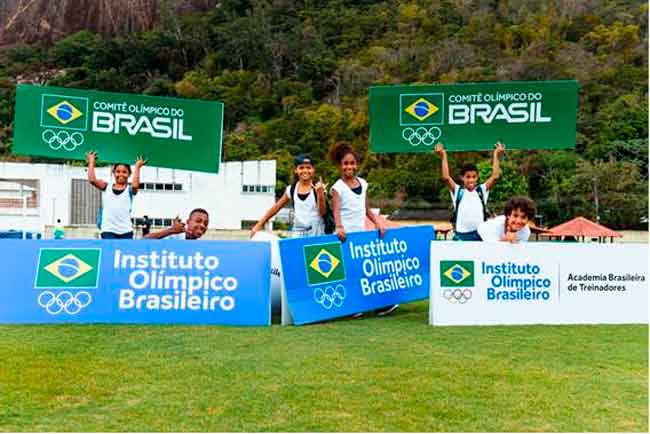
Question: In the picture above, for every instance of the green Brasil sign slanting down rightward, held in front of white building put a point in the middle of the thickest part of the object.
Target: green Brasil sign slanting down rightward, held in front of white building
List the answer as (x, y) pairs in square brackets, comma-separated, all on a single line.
[(168, 132)]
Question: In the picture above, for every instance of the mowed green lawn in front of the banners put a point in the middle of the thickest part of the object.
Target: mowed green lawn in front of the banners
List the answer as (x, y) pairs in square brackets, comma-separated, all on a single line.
[(374, 374)]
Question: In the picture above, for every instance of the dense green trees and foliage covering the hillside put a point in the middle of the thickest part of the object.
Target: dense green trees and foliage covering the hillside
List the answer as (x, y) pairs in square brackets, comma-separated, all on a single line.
[(294, 77)]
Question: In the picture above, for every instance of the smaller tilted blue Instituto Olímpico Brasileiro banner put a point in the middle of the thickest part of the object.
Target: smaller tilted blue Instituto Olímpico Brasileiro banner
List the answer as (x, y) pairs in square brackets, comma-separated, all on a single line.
[(326, 279)]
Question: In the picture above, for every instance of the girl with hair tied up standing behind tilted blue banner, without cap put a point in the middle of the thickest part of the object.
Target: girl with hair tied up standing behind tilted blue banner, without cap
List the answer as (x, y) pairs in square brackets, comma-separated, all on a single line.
[(350, 201)]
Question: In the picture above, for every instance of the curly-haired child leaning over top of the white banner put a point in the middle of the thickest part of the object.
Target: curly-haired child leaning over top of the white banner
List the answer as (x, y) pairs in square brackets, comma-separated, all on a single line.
[(513, 225)]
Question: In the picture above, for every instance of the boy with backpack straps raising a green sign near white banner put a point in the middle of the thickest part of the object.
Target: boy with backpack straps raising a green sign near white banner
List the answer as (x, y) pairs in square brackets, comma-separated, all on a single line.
[(469, 200)]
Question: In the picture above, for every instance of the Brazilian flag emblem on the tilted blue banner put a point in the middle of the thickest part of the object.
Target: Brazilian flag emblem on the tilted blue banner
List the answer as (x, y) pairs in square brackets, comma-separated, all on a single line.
[(324, 263)]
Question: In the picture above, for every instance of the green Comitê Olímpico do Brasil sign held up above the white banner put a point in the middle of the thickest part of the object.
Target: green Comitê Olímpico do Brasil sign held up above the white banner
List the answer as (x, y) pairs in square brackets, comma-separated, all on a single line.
[(464, 117)]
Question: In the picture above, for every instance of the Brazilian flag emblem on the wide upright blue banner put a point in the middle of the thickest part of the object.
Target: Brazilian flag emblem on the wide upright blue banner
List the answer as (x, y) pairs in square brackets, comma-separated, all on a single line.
[(68, 268)]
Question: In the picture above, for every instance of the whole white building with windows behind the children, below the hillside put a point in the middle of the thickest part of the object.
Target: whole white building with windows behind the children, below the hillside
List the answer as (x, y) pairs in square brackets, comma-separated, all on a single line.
[(35, 195)]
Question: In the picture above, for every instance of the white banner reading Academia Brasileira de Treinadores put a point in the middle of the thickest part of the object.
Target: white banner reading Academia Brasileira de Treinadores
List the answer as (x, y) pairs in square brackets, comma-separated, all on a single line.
[(475, 283)]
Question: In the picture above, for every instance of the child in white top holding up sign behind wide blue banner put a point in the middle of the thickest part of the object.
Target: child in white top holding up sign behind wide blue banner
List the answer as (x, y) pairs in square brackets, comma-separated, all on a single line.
[(114, 219)]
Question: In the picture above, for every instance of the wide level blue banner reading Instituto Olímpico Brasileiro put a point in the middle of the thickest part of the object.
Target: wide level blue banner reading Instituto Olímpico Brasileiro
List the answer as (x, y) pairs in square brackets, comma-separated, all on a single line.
[(144, 281)]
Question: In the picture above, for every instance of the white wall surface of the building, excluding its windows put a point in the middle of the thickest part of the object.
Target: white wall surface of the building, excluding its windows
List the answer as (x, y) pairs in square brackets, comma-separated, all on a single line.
[(220, 194)]
